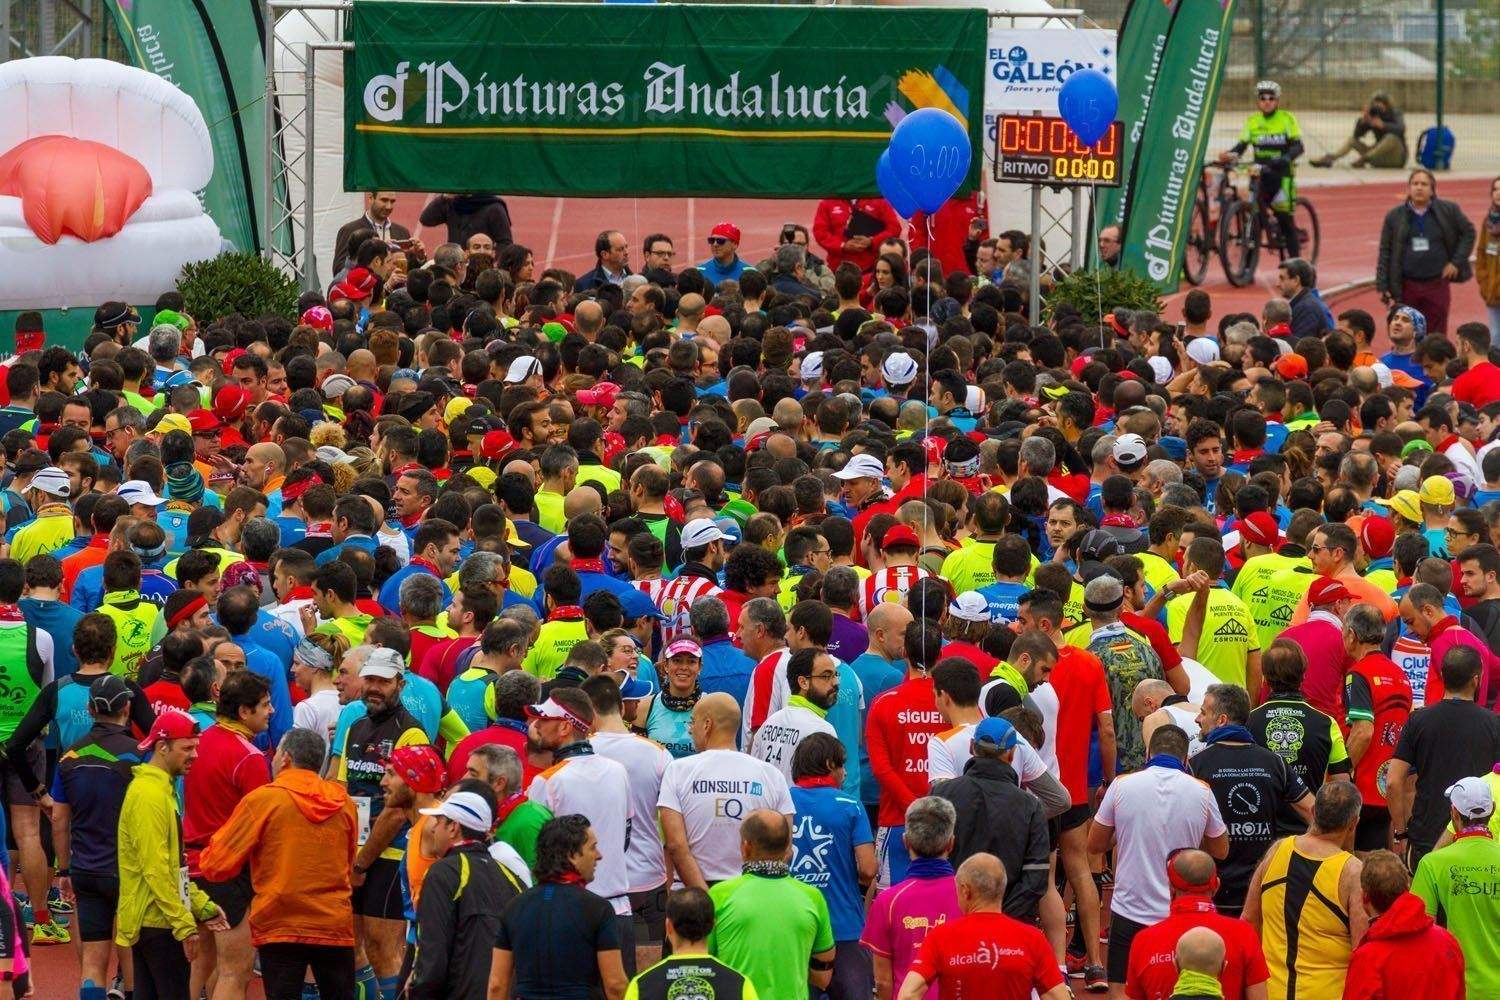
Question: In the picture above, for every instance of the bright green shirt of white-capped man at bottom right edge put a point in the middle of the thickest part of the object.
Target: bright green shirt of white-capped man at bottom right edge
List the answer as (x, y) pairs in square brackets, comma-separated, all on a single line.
[(1462, 890)]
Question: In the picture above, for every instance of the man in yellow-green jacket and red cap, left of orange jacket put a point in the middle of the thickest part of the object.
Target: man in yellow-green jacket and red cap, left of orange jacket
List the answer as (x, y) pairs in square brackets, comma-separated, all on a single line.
[(160, 906)]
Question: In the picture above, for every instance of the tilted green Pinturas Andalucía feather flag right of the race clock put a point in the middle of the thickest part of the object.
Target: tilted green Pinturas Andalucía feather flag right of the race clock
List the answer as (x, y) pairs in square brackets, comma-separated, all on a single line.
[(1169, 158)]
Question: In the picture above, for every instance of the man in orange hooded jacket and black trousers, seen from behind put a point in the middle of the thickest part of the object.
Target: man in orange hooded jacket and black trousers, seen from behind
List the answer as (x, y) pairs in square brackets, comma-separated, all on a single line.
[(299, 836)]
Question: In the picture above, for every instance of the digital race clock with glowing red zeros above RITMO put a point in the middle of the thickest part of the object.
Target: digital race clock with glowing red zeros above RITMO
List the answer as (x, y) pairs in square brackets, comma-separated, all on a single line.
[(1042, 149)]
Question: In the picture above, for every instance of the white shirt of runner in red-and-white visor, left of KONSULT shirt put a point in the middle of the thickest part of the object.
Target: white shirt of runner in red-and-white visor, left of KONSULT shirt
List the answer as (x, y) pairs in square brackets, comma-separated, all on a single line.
[(599, 789)]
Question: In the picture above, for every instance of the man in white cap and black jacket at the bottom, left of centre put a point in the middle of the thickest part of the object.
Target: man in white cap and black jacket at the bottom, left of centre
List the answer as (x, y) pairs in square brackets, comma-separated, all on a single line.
[(463, 897)]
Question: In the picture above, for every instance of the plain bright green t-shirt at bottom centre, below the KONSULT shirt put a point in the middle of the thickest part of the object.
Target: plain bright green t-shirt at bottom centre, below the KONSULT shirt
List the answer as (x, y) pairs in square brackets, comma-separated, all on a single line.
[(772, 953)]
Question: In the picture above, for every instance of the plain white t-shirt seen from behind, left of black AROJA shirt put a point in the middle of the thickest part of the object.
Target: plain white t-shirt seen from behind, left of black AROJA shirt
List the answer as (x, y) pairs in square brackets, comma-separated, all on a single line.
[(1154, 813)]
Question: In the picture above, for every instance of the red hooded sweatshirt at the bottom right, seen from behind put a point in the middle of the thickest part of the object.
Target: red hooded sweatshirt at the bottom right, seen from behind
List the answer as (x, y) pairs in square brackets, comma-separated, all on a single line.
[(1406, 956)]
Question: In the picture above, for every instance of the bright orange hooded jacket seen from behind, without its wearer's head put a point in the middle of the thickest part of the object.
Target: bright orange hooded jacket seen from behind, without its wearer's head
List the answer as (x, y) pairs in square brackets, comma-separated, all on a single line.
[(299, 837)]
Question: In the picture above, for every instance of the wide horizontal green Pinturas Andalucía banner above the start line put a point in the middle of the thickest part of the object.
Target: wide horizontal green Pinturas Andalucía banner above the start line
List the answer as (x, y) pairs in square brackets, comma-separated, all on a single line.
[(631, 100)]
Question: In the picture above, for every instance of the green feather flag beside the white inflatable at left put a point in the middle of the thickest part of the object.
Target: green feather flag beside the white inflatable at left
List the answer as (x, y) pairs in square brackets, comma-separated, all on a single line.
[(212, 52)]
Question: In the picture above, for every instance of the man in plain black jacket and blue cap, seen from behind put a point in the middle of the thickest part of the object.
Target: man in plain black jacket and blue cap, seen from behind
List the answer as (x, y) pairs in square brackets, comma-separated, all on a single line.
[(998, 818)]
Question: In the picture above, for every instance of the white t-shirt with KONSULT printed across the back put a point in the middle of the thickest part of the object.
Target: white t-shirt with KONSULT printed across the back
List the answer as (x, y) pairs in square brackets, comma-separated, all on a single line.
[(715, 791)]
